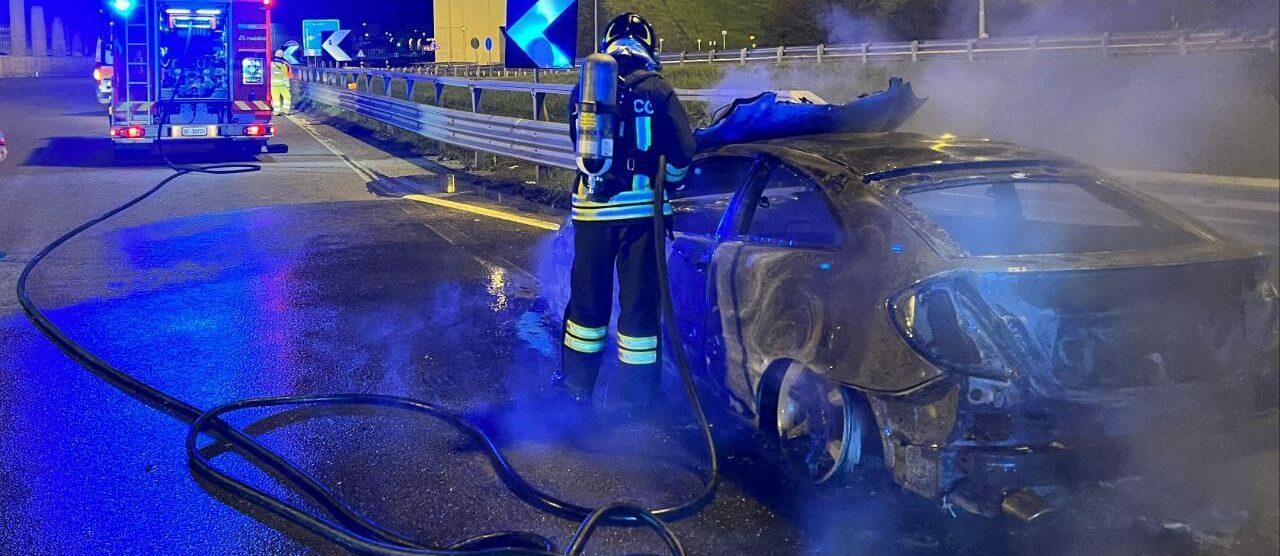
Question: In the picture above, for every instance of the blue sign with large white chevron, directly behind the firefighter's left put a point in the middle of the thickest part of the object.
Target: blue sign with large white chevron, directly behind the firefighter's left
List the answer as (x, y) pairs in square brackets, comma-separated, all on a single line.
[(543, 34)]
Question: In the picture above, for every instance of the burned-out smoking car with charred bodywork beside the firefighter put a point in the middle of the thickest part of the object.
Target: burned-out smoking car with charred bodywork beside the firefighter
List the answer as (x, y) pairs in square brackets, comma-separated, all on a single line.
[(966, 315)]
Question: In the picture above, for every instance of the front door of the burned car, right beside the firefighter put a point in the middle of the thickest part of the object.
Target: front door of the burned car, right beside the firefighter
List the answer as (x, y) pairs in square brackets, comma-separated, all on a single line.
[(700, 207)]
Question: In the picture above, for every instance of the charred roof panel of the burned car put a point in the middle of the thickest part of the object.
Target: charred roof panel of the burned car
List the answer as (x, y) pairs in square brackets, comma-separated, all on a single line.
[(868, 154)]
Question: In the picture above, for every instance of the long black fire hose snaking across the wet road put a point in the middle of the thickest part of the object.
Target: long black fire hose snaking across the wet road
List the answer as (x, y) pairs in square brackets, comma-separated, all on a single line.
[(342, 525)]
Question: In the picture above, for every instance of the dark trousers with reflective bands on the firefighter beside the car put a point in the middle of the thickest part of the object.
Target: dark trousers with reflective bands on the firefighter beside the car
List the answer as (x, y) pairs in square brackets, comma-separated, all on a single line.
[(600, 248)]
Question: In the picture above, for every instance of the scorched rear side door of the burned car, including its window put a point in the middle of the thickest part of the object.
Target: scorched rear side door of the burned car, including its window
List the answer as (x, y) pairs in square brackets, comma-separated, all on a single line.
[(781, 239)]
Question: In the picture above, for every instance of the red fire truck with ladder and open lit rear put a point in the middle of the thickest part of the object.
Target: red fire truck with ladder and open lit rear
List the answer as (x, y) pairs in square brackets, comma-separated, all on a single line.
[(190, 71)]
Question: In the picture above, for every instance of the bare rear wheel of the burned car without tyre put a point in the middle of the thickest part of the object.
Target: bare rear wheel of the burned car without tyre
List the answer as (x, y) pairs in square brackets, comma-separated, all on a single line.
[(819, 426)]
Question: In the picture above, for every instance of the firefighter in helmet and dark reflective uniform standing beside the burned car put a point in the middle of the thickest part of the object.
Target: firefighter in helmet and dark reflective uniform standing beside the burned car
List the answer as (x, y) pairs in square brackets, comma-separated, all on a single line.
[(612, 218)]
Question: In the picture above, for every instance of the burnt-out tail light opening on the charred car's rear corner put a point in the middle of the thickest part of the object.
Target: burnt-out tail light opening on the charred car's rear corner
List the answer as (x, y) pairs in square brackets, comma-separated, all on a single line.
[(940, 325)]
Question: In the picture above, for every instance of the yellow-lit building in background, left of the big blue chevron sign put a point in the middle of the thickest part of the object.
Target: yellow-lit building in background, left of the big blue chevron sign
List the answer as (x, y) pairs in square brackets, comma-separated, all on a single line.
[(470, 31)]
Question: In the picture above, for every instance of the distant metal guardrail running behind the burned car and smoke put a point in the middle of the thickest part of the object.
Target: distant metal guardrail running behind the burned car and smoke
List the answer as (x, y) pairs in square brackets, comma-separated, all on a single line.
[(1105, 44)]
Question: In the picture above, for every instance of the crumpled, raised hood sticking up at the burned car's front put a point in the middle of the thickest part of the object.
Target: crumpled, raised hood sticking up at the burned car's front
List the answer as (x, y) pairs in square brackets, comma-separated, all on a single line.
[(767, 117)]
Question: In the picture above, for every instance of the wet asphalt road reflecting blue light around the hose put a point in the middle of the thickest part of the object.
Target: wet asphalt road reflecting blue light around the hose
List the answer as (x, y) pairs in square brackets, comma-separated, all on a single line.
[(299, 280)]
